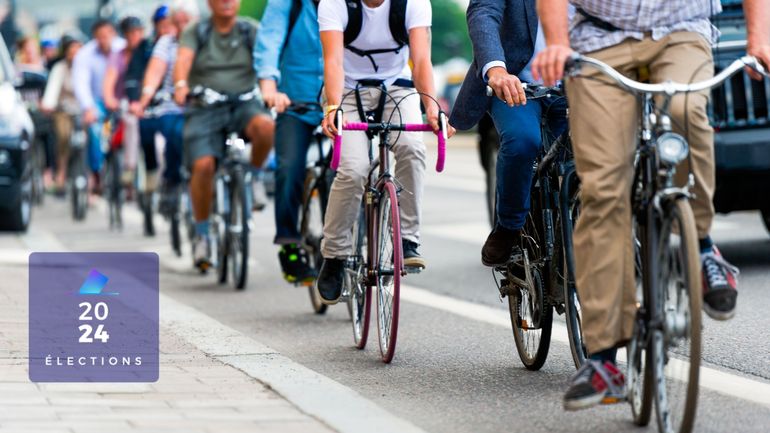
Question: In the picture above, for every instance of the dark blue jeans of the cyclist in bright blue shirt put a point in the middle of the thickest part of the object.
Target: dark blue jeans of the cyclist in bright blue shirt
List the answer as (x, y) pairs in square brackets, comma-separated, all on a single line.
[(292, 141)]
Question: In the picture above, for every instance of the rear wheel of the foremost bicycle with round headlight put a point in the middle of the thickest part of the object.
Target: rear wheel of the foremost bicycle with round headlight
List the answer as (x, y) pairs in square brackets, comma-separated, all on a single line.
[(639, 376)]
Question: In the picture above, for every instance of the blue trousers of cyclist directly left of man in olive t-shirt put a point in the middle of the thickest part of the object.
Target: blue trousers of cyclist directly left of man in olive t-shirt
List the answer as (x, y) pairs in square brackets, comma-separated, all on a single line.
[(171, 127)]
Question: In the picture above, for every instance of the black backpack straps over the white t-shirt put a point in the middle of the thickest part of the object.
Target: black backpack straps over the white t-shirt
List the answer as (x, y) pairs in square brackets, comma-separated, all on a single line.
[(396, 22)]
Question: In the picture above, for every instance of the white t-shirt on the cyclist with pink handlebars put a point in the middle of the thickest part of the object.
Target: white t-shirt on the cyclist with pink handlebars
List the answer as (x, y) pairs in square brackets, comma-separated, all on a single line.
[(374, 35)]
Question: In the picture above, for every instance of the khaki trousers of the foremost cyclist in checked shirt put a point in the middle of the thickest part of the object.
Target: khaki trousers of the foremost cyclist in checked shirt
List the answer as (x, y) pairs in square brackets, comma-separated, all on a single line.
[(604, 121)]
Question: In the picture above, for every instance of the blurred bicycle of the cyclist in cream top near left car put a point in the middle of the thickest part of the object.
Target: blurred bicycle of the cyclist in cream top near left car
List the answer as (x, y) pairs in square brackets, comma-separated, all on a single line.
[(77, 172)]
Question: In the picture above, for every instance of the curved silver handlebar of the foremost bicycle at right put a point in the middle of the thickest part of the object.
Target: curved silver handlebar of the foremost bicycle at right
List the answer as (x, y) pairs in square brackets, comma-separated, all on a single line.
[(669, 88)]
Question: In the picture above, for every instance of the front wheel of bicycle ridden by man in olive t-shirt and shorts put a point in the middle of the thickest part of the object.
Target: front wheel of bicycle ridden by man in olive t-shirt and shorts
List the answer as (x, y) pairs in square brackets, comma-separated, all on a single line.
[(238, 228)]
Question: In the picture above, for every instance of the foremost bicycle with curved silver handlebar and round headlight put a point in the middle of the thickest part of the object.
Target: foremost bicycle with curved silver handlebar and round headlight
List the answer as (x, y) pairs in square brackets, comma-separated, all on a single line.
[(665, 349)]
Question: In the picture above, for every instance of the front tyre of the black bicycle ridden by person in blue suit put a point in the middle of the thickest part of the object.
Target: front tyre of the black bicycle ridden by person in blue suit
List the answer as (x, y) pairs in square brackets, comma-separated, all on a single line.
[(570, 212)]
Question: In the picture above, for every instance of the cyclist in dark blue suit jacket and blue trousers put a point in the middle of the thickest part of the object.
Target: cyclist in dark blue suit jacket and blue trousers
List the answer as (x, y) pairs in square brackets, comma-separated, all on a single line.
[(505, 40)]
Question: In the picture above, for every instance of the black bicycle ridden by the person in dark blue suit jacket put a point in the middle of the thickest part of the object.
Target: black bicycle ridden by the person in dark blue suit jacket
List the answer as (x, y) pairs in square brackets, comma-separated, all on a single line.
[(540, 276)]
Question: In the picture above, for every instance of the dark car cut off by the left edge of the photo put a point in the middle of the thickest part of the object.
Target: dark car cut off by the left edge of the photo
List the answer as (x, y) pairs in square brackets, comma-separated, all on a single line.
[(16, 134)]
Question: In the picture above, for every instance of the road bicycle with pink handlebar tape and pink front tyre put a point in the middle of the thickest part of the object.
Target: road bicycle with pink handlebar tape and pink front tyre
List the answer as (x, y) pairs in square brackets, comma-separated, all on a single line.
[(377, 258)]
